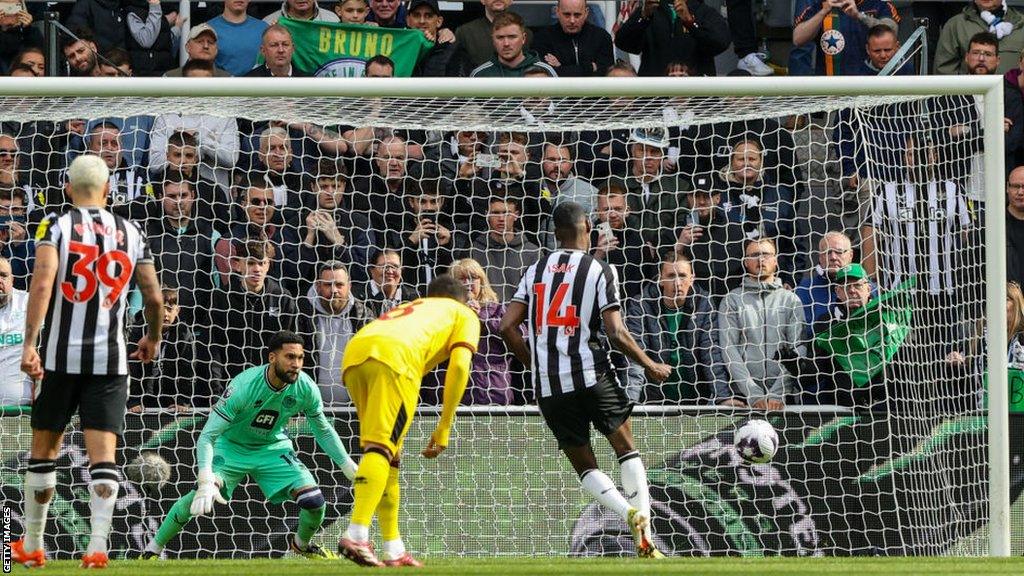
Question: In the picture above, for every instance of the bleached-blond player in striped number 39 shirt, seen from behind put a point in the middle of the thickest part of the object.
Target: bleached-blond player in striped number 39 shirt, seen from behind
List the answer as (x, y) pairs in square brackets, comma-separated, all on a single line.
[(86, 262)]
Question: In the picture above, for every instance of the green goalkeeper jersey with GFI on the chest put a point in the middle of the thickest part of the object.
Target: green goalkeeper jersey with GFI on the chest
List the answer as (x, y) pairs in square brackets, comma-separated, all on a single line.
[(258, 415)]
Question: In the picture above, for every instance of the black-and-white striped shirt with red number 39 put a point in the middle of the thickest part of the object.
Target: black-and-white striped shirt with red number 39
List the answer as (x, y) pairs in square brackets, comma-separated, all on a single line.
[(84, 333)]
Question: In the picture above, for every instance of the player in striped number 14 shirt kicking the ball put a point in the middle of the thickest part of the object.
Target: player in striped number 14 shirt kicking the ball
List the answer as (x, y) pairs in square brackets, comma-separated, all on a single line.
[(566, 299)]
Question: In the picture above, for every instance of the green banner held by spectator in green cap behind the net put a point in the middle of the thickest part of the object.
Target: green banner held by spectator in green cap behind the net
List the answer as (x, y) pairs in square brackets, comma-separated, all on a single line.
[(871, 336)]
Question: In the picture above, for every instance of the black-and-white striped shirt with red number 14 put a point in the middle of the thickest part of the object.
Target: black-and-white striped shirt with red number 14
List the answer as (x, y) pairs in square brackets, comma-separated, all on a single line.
[(566, 295)]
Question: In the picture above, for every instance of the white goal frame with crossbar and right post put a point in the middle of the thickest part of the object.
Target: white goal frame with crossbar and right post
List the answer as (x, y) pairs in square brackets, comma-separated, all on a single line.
[(988, 89)]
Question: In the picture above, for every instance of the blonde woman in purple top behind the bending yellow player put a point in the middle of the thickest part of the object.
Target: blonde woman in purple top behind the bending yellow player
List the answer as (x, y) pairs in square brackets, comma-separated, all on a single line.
[(491, 383)]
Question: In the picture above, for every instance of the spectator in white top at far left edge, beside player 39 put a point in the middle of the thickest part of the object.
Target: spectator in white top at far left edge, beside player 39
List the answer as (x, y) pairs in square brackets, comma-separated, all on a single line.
[(16, 388)]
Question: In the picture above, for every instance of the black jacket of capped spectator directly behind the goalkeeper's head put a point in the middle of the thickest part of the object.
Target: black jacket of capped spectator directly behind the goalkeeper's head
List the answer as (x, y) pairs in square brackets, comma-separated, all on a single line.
[(244, 323)]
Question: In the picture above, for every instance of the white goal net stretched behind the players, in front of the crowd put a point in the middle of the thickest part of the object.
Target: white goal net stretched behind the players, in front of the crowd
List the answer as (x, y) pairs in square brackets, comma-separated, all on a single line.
[(830, 258)]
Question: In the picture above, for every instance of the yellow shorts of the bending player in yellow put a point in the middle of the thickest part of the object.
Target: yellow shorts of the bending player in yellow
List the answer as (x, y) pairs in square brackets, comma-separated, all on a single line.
[(386, 402)]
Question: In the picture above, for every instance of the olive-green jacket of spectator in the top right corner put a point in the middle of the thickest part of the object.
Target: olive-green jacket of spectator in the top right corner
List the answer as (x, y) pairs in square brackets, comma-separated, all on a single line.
[(956, 38)]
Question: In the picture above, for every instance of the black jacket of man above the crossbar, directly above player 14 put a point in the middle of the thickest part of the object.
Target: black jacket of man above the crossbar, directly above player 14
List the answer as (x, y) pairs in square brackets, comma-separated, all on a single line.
[(588, 54)]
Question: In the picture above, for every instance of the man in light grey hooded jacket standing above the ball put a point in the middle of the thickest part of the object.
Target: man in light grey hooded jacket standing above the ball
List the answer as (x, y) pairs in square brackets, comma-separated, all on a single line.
[(755, 320)]
